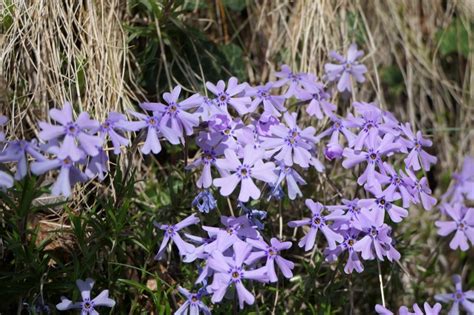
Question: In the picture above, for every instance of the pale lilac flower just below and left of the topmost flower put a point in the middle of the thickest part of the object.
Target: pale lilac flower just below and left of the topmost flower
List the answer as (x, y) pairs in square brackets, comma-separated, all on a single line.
[(318, 101)]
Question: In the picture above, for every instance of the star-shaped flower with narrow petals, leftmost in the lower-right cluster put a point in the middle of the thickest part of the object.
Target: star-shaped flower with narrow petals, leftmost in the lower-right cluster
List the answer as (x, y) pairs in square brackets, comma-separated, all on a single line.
[(318, 221)]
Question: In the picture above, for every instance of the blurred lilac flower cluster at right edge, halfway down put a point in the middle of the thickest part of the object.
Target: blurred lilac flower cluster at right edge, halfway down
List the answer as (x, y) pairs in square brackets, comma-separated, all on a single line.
[(454, 207)]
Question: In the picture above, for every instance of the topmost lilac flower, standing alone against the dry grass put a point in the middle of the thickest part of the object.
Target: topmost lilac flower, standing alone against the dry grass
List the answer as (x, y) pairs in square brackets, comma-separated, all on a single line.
[(346, 69)]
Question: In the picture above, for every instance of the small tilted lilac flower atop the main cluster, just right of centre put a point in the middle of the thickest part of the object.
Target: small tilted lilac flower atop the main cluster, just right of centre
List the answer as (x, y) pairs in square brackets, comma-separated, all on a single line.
[(273, 105)]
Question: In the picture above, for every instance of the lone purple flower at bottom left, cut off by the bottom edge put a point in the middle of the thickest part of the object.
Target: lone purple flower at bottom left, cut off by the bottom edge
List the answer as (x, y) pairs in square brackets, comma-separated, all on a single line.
[(87, 306)]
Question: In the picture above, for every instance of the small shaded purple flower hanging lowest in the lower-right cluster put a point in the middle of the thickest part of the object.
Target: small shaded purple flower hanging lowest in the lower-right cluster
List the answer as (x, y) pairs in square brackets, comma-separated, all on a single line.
[(353, 260)]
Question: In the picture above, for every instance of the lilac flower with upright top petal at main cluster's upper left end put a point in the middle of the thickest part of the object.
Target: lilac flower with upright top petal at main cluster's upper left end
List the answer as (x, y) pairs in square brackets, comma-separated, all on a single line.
[(174, 113)]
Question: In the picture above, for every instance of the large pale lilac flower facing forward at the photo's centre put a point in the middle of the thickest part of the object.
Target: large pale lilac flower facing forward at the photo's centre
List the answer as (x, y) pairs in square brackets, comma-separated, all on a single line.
[(252, 167)]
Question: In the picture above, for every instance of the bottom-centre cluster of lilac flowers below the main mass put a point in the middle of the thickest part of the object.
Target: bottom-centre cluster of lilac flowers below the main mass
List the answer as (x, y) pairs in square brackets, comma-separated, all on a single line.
[(232, 255)]
